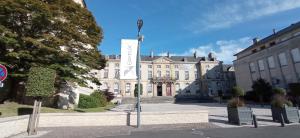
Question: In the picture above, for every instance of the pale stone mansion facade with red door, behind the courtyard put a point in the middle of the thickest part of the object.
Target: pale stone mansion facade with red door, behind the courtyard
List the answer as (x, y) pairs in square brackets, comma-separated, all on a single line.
[(167, 76)]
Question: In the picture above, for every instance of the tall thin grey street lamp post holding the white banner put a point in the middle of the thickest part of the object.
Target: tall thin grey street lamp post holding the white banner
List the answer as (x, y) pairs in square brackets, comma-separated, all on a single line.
[(139, 25)]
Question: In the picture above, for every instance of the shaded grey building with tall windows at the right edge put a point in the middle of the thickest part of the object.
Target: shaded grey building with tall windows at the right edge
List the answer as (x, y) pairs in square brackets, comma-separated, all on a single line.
[(275, 58)]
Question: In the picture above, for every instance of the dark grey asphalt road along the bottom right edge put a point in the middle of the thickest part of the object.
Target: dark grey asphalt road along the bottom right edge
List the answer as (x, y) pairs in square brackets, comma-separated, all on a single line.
[(262, 132)]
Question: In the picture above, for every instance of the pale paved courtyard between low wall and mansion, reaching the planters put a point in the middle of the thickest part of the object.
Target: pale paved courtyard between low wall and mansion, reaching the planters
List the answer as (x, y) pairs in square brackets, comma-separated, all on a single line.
[(217, 112)]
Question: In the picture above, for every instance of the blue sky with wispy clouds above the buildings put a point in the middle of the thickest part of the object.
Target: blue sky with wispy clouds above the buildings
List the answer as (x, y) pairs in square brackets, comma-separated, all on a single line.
[(181, 27)]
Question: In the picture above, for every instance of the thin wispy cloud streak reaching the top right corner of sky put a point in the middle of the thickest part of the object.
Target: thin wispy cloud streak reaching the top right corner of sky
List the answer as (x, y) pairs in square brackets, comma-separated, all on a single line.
[(226, 14)]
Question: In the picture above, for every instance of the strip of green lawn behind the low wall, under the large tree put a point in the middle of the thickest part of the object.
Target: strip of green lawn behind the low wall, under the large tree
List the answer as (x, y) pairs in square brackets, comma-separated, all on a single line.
[(15, 109)]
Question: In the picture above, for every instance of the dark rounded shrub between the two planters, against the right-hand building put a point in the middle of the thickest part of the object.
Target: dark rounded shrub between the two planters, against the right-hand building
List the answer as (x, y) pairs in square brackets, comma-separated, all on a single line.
[(262, 89)]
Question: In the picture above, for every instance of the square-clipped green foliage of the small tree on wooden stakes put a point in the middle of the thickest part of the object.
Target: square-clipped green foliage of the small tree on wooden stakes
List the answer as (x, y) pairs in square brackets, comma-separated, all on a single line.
[(40, 82)]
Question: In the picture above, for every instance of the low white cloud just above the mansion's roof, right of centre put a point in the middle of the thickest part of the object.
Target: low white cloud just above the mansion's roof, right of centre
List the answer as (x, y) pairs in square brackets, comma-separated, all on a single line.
[(223, 49)]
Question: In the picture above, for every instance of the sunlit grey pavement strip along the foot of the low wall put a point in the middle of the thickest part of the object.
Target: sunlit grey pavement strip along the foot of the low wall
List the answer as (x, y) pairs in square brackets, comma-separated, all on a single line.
[(92, 132)]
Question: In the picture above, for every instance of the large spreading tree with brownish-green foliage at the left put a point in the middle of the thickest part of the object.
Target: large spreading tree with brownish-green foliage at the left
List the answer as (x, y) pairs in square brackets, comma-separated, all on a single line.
[(58, 34)]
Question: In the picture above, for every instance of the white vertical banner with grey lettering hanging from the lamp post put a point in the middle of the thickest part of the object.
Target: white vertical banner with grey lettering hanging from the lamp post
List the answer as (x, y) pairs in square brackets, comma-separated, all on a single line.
[(128, 58)]
